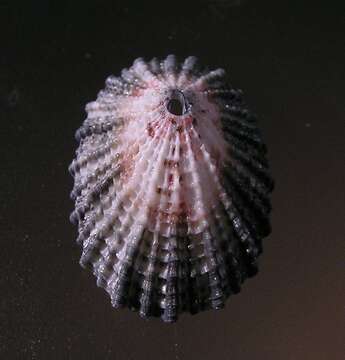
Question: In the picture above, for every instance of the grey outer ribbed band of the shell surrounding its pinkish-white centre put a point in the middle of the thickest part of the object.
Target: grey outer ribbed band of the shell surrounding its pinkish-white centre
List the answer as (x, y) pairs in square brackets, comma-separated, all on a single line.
[(165, 276)]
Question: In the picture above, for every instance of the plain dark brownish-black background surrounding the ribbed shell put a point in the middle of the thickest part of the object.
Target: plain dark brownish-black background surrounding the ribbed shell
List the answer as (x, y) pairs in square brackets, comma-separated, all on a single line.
[(289, 59)]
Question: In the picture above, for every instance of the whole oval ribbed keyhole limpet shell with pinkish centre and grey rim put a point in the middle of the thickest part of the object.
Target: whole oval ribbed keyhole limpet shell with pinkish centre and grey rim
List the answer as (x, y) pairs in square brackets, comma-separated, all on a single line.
[(171, 189)]
